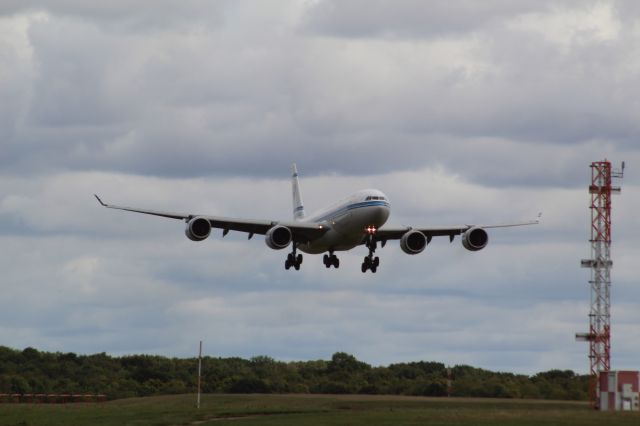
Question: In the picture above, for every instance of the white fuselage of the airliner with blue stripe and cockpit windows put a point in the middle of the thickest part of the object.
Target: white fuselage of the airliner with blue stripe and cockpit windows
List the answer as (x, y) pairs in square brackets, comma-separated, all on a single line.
[(349, 221)]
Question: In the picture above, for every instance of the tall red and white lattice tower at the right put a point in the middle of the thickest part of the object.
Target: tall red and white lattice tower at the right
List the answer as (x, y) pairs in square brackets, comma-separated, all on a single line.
[(599, 335)]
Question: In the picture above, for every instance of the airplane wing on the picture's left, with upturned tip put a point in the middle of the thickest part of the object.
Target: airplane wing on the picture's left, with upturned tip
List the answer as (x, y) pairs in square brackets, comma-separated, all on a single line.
[(302, 231)]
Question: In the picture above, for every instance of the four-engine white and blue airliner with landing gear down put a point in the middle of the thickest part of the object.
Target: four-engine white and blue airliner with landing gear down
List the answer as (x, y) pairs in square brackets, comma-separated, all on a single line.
[(358, 219)]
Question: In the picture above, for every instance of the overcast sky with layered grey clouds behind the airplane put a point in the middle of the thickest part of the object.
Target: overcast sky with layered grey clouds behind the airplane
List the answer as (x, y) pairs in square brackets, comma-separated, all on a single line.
[(459, 111)]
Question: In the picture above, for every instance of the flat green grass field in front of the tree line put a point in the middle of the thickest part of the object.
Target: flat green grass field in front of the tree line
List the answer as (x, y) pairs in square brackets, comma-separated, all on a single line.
[(312, 410)]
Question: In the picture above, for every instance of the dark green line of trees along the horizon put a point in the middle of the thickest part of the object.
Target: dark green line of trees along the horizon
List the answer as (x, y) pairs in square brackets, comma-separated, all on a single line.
[(33, 371)]
